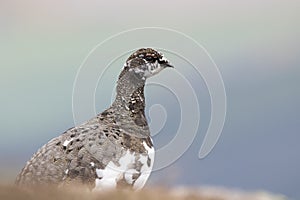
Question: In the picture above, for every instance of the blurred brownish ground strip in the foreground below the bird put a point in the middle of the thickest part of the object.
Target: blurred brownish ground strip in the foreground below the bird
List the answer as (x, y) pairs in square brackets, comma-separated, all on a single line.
[(9, 192)]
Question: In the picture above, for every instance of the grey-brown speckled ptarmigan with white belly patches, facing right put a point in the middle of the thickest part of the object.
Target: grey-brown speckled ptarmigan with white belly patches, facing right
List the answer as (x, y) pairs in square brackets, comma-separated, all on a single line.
[(114, 149)]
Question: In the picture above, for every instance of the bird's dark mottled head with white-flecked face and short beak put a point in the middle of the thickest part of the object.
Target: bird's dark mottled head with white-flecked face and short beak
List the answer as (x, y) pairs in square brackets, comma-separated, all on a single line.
[(145, 63)]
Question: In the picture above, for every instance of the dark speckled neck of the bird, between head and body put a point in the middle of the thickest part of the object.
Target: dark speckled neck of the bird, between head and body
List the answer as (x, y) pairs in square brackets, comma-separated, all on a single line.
[(129, 104)]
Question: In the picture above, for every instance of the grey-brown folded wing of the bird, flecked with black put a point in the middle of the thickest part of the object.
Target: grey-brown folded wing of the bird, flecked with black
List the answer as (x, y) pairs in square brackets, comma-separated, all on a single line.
[(71, 157)]
